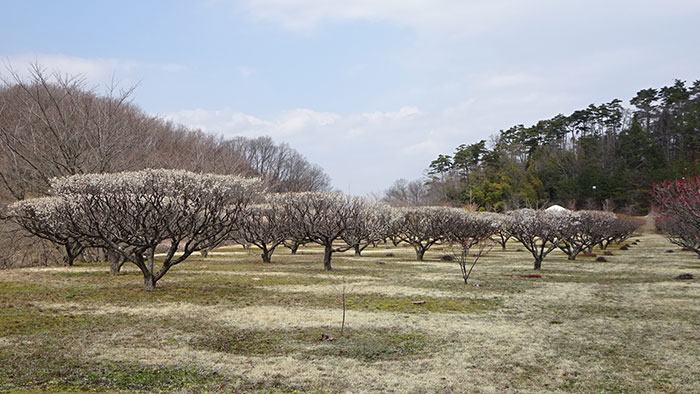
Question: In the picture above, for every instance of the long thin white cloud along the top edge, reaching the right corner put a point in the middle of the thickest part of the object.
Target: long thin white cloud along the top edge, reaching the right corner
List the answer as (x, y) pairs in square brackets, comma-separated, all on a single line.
[(464, 16)]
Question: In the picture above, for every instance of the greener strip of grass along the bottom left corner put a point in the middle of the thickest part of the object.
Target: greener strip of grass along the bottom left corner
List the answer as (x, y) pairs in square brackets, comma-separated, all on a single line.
[(53, 369)]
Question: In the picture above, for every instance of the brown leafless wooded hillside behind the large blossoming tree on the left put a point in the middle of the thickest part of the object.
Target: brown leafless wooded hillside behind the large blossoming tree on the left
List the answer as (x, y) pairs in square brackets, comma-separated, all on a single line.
[(54, 126)]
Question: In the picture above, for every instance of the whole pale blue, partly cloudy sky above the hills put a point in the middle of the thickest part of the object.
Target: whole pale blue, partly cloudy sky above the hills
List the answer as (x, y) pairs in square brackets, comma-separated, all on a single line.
[(371, 90)]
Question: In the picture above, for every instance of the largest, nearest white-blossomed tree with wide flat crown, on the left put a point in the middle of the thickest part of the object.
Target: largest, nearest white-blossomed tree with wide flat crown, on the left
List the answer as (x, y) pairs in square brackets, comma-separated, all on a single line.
[(131, 213)]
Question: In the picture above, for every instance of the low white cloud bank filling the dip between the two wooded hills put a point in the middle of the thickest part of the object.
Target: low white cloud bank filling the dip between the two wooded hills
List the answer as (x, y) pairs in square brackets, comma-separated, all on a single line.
[(364, 150)]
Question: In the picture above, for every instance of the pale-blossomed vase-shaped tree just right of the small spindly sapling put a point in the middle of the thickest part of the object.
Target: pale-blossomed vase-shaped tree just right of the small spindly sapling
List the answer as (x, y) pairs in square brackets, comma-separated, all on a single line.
[(540, 232)]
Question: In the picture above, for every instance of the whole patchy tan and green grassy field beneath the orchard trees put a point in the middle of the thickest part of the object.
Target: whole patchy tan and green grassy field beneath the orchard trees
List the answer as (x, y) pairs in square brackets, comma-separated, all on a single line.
[(230, 323)]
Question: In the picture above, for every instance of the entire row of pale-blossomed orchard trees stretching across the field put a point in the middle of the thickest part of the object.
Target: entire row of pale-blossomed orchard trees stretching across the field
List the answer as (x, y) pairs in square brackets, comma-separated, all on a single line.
[(130, 214)]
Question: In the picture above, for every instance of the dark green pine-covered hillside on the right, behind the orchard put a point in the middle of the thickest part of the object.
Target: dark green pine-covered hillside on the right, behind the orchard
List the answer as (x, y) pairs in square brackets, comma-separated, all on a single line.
[(603, 156)]
